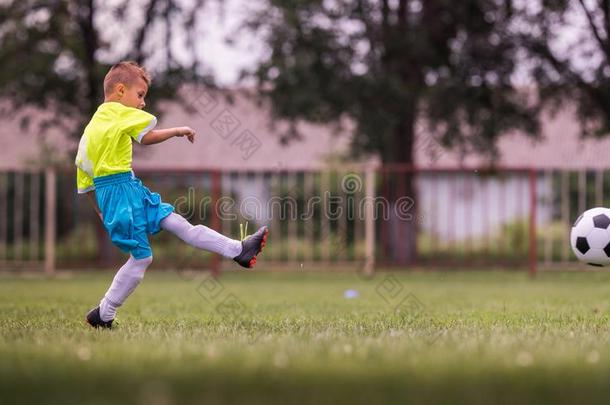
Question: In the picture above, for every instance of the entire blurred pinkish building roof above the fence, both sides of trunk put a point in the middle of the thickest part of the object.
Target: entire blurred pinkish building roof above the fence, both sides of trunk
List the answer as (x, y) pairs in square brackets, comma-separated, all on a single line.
[(239, 134)]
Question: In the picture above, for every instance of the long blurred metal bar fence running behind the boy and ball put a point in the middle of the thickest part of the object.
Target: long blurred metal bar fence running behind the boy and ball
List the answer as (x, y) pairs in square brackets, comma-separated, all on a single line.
[(356, 217)]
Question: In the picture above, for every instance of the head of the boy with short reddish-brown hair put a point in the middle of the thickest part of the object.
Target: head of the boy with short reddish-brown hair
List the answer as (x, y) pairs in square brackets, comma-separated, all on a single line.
[(127, 83)]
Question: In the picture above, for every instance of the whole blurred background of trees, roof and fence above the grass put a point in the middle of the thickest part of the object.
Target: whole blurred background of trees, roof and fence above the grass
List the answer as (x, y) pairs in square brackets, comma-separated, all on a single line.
[(366, 134)]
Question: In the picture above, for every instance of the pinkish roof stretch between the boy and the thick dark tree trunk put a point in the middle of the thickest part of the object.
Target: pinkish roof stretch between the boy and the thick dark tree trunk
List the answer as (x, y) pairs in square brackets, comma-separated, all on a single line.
[(236, 134)]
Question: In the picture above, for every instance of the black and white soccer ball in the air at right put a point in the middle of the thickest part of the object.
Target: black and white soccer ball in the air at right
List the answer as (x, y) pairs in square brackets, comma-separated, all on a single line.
[(590, 237)]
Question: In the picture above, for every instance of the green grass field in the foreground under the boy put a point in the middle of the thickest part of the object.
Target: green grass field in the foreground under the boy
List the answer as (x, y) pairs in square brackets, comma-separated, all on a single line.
[(462, 337)]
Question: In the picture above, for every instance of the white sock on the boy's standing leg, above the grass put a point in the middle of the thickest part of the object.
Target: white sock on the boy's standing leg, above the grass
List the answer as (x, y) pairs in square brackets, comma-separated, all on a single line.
[(125, 281)]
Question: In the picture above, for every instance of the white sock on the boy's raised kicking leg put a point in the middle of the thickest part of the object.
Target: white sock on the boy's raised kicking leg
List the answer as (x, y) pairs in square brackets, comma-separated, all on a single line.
[(201, 236)]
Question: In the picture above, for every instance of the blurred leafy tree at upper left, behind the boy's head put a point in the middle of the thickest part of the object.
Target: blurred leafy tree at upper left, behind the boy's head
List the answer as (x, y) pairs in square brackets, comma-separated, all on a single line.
[(54, 55)]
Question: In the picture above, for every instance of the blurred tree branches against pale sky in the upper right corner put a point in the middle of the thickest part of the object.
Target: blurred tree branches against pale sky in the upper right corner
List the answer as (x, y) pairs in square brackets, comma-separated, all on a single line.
[(568, 47)]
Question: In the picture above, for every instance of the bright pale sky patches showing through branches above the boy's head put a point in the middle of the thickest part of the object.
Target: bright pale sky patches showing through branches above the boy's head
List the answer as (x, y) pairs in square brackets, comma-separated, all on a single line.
[(218, 20)]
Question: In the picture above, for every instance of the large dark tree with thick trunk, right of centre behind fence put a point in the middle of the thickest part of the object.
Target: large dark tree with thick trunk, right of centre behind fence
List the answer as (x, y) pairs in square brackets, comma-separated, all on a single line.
[(390, 64)]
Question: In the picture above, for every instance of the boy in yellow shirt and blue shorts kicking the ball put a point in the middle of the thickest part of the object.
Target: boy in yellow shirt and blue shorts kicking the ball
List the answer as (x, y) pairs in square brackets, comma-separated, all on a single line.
[(128, 209)]
